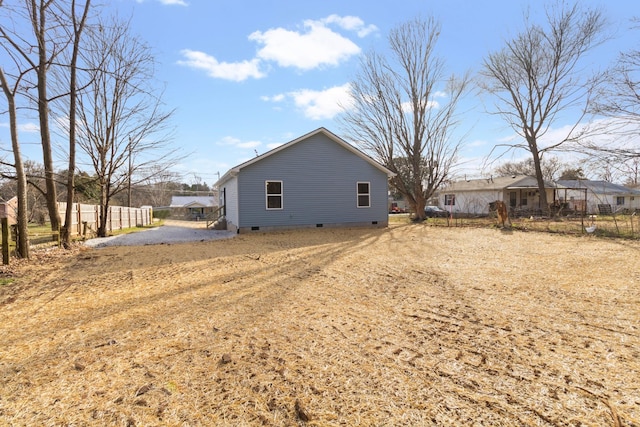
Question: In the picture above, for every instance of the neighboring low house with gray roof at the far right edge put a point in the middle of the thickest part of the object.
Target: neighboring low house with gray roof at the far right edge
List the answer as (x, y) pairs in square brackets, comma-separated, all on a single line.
[(601, 196)]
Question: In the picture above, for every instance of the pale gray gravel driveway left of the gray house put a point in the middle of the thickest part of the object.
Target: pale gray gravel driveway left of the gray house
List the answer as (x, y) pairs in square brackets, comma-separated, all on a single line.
[(171, 232)]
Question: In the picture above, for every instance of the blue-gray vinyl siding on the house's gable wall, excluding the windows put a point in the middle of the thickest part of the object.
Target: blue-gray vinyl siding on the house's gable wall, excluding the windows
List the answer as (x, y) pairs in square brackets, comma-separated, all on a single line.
[(319, 187)]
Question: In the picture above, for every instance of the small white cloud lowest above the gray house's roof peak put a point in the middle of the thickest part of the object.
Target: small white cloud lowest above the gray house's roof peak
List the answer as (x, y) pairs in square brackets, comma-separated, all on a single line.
[(326, 104)]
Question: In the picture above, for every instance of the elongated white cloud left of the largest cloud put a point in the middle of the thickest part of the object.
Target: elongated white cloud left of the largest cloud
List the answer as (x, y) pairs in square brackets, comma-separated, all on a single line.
[(236, 71)]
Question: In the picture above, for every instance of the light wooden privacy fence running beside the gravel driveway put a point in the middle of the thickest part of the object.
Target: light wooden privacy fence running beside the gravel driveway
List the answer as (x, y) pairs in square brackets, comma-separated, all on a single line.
[(85, 218)]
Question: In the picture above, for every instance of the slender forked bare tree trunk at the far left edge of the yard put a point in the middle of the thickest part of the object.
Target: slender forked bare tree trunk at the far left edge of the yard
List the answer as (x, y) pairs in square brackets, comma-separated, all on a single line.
[(22, 247)]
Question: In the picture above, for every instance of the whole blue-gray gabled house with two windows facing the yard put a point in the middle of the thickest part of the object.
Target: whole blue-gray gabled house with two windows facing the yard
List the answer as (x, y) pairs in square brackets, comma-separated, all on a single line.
[(316, 180)]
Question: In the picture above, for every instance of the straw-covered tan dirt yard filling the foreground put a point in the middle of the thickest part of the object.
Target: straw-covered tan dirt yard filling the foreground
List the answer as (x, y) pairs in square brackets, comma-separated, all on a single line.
[(412, 325)]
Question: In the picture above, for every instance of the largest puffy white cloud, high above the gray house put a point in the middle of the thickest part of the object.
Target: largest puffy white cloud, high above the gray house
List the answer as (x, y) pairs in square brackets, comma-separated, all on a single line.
[(316, 46)]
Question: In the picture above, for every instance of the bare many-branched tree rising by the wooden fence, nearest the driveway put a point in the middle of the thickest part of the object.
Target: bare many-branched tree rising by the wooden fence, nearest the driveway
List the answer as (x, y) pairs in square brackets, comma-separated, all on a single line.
[(122, 128)]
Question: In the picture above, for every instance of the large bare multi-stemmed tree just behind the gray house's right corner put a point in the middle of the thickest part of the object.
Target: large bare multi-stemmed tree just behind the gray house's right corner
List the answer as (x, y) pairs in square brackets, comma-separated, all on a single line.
[(404, 111)]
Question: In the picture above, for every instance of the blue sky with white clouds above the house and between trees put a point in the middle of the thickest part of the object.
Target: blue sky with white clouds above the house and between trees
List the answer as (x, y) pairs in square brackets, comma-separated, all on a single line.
[(247, 75)]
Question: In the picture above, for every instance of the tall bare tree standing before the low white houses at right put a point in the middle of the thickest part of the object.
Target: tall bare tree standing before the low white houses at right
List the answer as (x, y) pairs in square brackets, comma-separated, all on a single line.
[(538, 75)]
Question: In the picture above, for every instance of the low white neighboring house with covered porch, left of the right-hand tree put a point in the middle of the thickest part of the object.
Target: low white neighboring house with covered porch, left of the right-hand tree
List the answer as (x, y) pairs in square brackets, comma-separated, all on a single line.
[(474, 196)]
